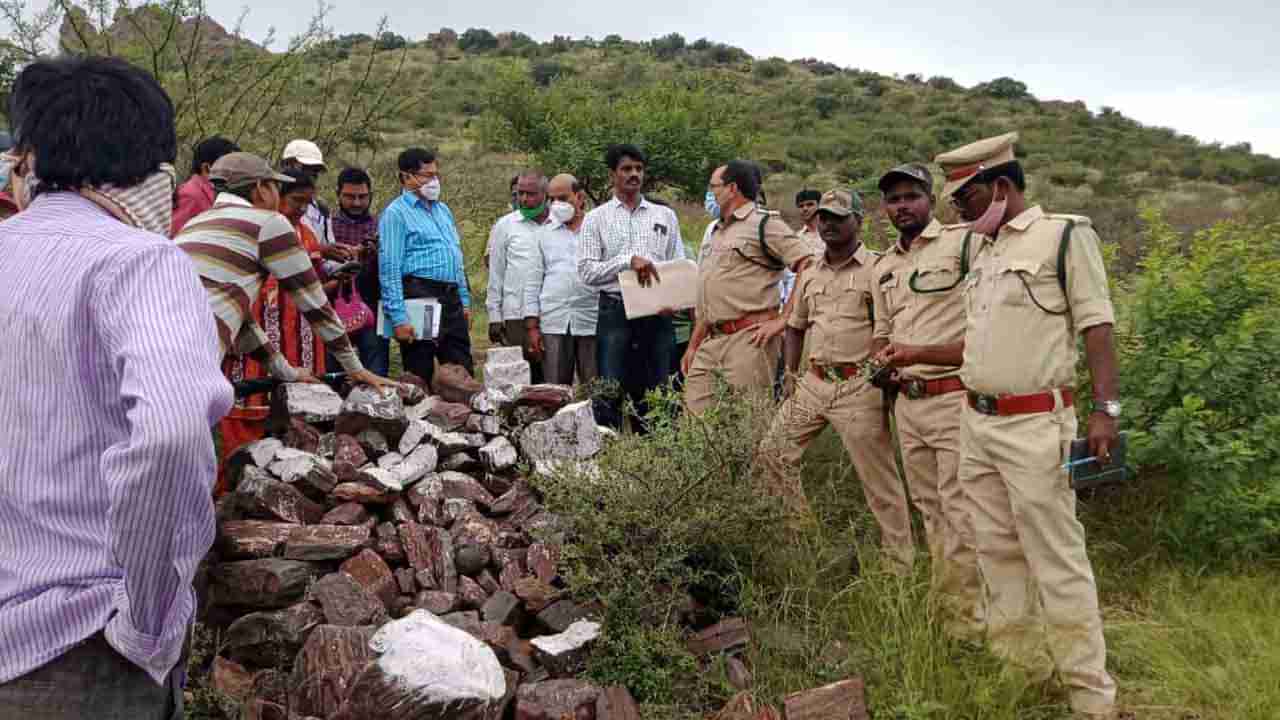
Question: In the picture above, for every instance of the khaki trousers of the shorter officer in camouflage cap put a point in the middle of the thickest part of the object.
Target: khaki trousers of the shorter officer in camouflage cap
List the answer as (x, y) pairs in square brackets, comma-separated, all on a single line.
[(857, 412)]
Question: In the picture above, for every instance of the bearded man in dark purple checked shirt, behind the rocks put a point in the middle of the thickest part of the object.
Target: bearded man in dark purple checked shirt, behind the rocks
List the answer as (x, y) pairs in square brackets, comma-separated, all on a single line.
[(356, 227)]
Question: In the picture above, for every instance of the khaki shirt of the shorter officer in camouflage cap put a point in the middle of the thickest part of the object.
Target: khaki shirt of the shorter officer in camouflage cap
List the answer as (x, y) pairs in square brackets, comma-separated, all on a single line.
[(835, 308)]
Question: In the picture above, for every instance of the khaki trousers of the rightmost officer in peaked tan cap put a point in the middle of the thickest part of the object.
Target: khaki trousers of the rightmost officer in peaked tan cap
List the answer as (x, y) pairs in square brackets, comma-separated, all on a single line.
[(1043, 599)]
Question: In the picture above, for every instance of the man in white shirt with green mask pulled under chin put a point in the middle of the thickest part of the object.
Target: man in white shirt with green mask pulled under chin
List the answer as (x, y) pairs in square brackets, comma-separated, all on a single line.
[(510, 253)]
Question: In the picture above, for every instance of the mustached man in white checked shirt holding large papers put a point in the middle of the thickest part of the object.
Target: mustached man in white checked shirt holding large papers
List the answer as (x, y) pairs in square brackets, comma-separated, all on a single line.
[(628, 234)]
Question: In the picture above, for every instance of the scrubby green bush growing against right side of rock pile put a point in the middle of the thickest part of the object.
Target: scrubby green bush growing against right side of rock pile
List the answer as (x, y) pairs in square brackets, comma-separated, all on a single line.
[(662, 518)]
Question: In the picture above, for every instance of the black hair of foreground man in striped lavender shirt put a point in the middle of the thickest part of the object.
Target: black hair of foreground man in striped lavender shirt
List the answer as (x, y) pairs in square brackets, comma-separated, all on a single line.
[(92, 121)]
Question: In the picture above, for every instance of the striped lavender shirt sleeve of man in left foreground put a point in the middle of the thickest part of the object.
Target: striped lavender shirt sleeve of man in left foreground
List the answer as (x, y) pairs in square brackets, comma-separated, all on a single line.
[(161, 477)]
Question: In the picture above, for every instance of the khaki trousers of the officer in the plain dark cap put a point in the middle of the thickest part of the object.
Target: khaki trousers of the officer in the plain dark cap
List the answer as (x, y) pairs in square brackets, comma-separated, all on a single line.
[(929, 431)]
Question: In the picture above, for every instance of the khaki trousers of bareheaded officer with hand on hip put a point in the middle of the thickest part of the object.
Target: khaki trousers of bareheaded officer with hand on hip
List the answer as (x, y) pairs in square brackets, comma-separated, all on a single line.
[(744, 367)]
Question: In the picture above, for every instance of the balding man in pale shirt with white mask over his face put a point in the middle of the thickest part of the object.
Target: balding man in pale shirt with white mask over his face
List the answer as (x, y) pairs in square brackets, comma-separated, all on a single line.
[(560, 311)]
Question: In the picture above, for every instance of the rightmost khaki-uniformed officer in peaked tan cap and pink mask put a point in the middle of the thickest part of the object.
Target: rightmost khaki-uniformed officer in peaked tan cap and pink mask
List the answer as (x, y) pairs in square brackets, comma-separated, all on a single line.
[(1028, 297)]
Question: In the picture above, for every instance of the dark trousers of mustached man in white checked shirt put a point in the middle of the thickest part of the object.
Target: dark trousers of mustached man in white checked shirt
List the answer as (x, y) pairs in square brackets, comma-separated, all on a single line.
[(636, 354)]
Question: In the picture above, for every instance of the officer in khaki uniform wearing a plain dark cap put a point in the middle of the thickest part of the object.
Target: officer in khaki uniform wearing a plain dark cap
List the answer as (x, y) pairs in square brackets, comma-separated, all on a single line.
[(920, 330)]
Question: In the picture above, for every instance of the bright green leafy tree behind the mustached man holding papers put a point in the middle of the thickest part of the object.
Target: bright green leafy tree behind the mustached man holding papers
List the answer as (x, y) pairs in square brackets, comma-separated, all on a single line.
[(687, 127)]
